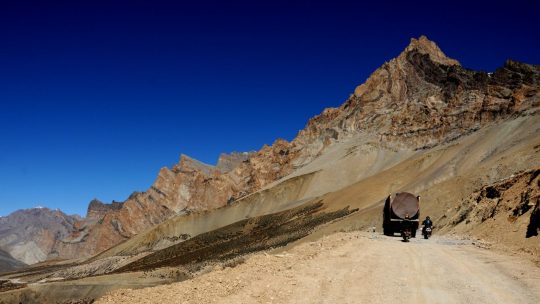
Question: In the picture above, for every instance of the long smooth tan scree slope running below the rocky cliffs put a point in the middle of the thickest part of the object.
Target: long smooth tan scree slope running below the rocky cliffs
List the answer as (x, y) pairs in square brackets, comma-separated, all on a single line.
[(355, 174)]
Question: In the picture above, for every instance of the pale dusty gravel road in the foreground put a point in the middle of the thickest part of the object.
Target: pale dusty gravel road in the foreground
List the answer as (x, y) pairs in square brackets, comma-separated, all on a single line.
[(358, 267)]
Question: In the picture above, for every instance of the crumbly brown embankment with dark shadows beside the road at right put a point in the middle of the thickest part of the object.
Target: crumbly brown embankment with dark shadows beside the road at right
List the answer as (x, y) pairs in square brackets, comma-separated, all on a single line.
[(507, 211)]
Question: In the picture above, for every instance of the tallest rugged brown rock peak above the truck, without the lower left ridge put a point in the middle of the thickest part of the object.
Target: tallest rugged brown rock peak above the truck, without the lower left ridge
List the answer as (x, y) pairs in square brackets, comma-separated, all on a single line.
[(423, 98)]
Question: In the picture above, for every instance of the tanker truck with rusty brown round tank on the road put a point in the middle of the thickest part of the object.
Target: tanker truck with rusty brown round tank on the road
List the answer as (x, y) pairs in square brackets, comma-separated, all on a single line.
[(396, 209)]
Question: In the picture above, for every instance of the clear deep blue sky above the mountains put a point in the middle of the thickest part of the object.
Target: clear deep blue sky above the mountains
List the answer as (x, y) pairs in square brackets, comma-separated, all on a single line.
[(97, 96)]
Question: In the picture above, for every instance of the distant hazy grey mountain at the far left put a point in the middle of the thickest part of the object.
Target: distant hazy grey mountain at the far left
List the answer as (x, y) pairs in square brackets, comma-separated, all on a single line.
[(30, 235)]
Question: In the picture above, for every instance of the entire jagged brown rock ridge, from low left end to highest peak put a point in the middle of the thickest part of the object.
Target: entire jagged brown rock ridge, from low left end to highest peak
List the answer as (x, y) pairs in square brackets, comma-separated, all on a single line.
[(420, 99)]
